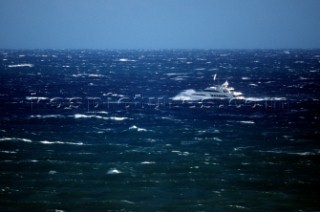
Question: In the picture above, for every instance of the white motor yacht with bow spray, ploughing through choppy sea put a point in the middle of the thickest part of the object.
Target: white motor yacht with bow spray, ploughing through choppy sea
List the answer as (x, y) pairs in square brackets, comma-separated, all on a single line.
[(221, 92)]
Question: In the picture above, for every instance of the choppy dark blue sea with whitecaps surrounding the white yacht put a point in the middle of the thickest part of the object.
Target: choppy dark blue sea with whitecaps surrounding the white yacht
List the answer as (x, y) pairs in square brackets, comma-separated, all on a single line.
[(91, 130)]
